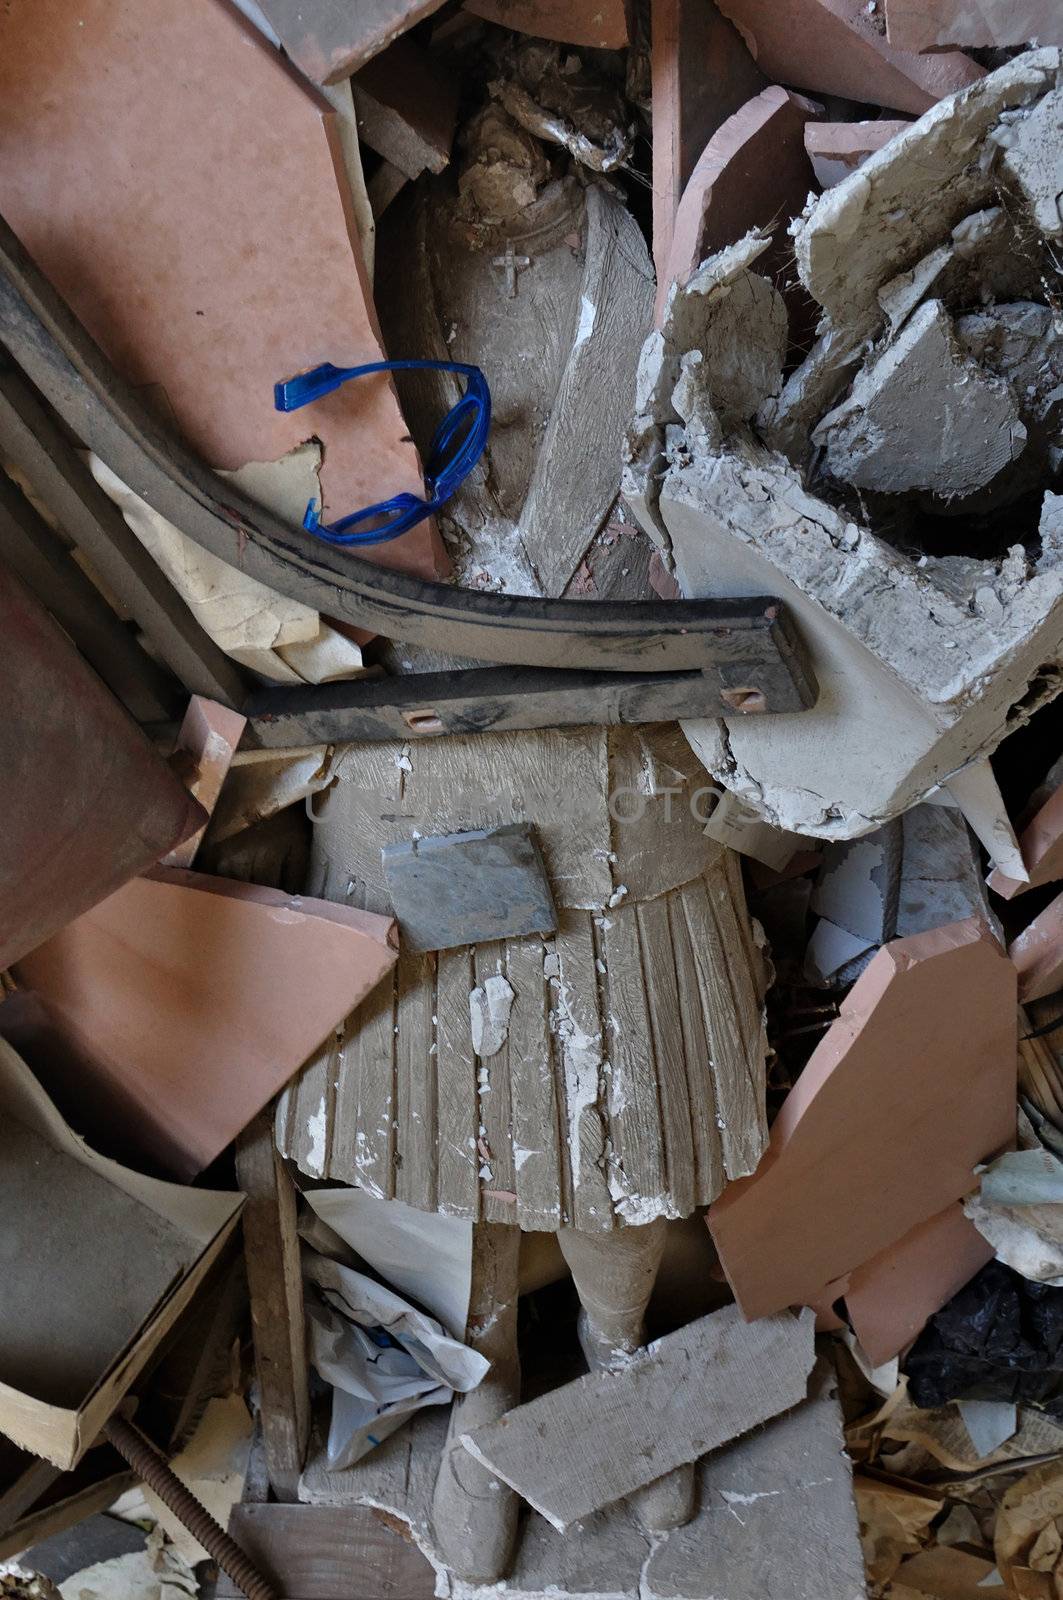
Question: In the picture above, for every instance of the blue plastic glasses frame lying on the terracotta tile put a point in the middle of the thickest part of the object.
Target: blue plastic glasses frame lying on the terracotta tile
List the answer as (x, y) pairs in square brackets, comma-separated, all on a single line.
[(457, 447)]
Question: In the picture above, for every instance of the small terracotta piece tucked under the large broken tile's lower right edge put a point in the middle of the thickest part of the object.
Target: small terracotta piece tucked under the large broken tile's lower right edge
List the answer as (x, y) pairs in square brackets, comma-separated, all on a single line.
[(891, 1298)]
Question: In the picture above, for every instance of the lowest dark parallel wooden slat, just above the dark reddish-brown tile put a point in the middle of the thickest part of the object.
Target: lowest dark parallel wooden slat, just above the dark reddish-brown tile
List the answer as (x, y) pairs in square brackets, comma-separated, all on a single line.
[(39, 558)]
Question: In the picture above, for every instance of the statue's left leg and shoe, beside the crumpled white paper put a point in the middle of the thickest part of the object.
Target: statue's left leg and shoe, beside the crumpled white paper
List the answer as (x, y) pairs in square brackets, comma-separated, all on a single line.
[(475, 1514)]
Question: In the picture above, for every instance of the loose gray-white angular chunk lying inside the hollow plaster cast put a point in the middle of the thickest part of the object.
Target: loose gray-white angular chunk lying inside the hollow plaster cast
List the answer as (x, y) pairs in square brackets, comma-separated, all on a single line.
[(923, 417)]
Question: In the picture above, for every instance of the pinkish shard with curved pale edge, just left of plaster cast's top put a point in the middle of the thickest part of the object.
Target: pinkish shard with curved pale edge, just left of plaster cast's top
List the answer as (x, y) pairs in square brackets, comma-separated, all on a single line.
[(752, 174)]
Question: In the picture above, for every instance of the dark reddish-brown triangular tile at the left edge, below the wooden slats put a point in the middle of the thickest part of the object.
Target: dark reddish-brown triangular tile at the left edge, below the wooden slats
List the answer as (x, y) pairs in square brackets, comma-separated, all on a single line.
[(87, 802)]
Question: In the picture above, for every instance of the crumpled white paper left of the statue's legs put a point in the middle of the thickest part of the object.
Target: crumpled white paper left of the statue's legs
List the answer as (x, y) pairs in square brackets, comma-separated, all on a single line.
[(383, 1358)]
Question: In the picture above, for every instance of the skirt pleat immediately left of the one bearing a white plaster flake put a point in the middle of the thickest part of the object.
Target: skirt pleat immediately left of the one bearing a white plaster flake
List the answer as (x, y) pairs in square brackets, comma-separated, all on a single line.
[(459, 1110)]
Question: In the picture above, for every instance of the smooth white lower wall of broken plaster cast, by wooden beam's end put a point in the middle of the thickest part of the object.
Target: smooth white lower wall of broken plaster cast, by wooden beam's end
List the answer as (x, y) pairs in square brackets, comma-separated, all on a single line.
[(912, 684)]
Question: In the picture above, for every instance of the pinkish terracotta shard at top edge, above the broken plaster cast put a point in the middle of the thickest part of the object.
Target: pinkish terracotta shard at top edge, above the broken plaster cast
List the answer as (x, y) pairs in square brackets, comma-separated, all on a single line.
[(835, 47)]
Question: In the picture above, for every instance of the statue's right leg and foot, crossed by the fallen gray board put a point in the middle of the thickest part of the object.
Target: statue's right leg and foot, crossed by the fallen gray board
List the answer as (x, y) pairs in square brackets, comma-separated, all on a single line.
[(614, 1274)]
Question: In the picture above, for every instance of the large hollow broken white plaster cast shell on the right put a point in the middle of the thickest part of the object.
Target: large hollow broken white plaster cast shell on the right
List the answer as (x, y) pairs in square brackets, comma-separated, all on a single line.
[(917, 679)]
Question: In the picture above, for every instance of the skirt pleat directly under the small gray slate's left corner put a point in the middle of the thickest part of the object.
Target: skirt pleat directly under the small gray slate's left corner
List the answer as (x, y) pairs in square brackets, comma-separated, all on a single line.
[(415, 1082)]
